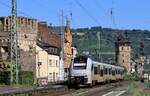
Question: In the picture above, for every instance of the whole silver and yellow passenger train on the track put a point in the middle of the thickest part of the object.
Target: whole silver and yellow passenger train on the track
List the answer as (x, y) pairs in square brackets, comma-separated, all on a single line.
[(85, 71)]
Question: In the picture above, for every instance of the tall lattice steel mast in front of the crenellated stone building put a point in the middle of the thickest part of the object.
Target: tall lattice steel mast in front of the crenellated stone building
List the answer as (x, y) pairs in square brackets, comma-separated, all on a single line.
[(14, 43)]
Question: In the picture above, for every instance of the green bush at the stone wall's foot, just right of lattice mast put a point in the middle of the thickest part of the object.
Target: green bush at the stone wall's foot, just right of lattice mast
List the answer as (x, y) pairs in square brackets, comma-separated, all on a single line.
[(26, 78)]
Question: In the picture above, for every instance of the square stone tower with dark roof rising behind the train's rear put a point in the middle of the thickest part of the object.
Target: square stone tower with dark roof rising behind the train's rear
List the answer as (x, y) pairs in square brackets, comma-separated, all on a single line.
[(123, 52)]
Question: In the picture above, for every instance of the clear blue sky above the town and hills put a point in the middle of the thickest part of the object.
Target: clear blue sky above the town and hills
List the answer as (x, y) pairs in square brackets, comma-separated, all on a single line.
[(126, 14)]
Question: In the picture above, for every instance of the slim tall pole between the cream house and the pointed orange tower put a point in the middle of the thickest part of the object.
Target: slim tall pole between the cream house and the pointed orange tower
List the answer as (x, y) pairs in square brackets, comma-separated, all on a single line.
[(62, 47)]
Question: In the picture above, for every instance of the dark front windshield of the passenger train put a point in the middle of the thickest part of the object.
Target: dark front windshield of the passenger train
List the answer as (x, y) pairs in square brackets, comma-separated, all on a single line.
[(80, 63)]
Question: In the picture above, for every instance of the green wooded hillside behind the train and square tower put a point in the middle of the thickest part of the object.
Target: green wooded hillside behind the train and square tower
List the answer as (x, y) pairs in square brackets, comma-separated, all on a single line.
[(86, 40)]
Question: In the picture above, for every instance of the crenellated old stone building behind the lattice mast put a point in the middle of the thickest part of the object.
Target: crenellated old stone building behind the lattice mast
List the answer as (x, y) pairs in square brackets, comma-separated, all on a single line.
[(27, 34)]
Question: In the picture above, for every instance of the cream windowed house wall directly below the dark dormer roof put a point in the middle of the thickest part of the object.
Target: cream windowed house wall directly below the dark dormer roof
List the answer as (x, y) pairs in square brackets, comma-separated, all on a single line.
[(53, 68)]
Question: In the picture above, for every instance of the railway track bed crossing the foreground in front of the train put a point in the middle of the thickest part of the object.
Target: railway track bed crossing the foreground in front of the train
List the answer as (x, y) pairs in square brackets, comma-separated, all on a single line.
[(64, 91)]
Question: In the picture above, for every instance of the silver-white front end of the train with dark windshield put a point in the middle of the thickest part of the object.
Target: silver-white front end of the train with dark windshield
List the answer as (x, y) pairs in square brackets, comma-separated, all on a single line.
[(79, 71)]
